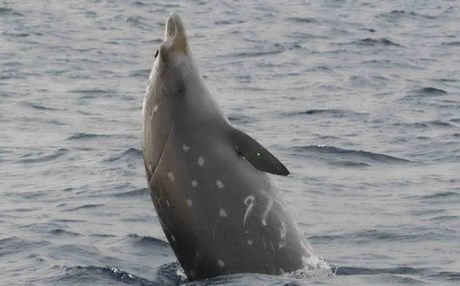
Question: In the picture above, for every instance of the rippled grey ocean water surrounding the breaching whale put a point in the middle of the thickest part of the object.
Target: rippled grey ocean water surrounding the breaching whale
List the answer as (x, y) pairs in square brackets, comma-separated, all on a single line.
[(359, 99)]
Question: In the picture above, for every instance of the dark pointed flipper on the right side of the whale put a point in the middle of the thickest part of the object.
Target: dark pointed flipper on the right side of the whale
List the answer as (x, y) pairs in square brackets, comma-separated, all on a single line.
[(257, 155)]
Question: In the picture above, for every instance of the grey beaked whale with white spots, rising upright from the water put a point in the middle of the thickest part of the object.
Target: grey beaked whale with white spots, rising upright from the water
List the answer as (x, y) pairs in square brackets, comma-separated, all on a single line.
[(219, 211)]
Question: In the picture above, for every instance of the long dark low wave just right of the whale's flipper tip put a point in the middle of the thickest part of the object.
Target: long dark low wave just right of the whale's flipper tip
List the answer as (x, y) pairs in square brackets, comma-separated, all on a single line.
[(348, 157)]
